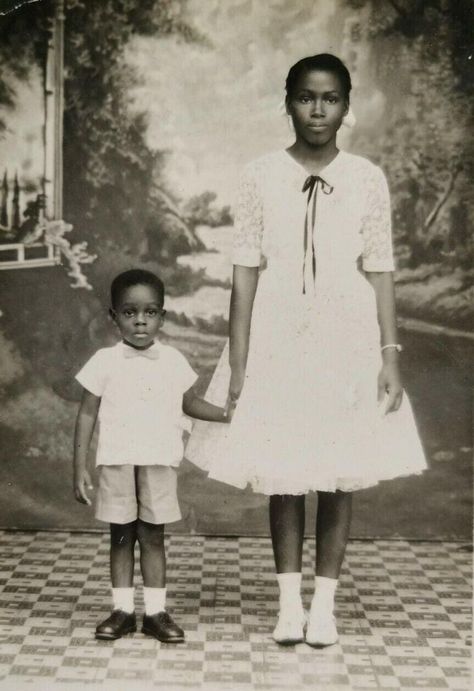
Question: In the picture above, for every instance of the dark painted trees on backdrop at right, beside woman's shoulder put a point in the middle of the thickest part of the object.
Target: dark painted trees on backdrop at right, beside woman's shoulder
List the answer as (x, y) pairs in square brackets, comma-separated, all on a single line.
[(423, 49)]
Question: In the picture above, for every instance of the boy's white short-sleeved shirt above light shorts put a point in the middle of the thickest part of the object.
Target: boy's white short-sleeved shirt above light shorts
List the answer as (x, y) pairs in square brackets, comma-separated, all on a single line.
[(140, 414)]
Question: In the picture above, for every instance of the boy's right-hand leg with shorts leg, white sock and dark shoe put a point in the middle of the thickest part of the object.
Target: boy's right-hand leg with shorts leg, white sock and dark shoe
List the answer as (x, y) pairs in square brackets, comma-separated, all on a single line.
[(158, 505)]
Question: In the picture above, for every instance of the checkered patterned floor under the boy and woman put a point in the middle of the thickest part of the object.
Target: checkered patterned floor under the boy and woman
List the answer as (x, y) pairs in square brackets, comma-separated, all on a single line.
[(403, 612)]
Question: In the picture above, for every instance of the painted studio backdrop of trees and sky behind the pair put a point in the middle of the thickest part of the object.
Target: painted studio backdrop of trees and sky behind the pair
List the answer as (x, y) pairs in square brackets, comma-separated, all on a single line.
[(123, 126)]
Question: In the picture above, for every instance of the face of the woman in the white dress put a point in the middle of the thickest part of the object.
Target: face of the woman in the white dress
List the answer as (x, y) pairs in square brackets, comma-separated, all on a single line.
[(317, 106)]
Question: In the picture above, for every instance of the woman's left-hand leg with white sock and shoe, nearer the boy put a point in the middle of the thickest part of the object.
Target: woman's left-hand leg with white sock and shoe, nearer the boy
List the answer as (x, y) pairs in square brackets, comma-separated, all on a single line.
[(287, 514)]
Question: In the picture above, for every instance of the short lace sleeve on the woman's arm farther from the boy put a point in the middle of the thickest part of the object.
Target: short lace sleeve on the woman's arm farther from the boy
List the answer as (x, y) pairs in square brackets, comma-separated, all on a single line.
[(377, 252)]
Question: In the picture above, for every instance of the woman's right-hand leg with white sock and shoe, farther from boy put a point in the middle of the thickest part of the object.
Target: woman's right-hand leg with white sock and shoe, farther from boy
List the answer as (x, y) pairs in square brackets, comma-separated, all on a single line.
[(332, 532)]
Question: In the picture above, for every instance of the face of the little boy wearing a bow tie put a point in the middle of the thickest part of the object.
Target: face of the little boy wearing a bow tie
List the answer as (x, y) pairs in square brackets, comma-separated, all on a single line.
[(138, 315)]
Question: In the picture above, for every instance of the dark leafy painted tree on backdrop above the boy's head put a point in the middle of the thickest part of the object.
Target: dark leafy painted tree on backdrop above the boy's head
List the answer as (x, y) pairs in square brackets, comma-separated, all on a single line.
[(115, 192)]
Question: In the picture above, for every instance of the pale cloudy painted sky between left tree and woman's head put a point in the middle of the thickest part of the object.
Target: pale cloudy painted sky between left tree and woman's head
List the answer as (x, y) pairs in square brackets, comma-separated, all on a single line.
[(215, 108)]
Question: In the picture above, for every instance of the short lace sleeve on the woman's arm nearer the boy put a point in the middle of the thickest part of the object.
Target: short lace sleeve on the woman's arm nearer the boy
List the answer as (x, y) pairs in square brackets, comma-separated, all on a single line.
[(248, 223)]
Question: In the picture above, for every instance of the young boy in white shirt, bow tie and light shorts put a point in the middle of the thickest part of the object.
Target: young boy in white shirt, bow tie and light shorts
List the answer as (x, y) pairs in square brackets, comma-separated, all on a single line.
[(138, 389)]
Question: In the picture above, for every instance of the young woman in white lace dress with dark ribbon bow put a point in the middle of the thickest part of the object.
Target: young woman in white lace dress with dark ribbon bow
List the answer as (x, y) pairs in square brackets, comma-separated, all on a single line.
[(314, 389)]
